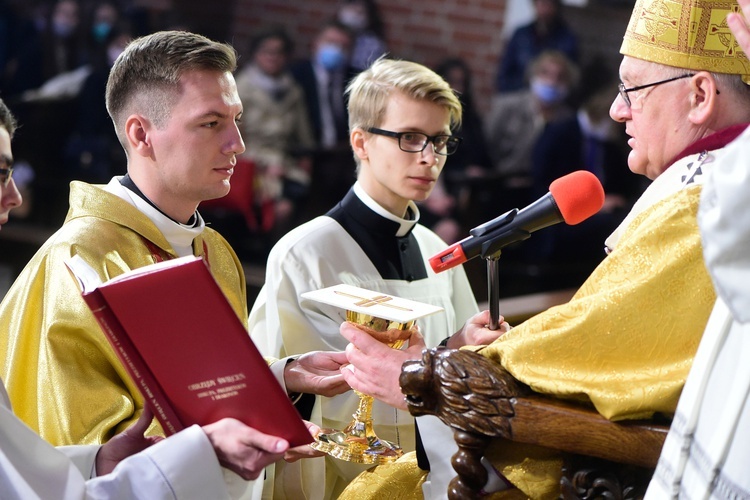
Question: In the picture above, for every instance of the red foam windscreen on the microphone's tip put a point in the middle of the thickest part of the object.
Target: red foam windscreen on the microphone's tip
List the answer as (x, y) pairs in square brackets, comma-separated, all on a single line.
[(578, 195)]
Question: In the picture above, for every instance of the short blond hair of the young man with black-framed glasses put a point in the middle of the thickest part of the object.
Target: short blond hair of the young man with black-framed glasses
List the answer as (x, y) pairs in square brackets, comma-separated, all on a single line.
[(369, 91)]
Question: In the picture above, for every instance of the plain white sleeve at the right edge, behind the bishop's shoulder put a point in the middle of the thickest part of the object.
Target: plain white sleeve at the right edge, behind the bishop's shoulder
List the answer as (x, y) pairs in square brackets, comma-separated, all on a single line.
[(724, 219)]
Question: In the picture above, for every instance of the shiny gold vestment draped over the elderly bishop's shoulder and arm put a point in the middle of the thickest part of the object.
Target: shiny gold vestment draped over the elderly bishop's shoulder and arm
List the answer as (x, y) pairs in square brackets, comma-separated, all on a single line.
[(627, 338)]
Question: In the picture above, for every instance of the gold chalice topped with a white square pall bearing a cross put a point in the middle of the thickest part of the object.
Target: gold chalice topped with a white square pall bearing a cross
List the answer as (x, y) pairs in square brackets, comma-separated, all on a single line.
[(389, 320)]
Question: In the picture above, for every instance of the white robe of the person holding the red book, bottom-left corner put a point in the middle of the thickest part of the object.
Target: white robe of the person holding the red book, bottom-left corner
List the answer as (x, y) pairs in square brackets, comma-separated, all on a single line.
[(181, 467)]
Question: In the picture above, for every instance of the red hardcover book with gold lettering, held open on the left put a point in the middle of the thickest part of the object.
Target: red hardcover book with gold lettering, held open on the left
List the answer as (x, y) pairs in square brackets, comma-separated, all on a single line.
[(186, 349)]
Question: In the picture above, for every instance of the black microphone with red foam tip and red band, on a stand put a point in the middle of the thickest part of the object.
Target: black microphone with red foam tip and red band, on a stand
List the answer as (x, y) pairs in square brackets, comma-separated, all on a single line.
[(573, 198)]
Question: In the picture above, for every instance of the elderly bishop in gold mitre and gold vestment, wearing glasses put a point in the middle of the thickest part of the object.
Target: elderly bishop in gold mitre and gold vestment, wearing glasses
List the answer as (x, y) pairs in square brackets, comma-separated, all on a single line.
[(625, 342)]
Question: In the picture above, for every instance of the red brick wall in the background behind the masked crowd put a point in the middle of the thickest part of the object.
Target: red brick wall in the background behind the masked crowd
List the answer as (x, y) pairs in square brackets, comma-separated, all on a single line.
[(427, 31)]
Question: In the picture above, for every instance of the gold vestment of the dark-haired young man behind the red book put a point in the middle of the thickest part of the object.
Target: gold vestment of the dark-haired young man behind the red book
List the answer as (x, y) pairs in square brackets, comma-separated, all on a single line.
[(63, 378)]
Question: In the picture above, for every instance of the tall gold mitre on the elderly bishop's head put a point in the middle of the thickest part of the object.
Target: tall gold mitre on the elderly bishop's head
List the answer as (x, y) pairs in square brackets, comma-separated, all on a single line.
[(691, 34)]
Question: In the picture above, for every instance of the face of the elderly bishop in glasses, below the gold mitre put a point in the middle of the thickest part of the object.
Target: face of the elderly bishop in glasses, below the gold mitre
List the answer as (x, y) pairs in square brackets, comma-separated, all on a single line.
[(657, 120)]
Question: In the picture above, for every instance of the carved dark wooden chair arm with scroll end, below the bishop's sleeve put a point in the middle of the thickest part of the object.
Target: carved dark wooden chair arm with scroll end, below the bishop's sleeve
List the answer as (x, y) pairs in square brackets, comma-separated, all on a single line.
[(479, 400)]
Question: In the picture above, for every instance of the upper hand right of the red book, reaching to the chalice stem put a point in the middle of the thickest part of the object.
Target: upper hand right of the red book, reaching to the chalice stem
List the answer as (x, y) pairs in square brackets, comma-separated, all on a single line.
[(316, 372)]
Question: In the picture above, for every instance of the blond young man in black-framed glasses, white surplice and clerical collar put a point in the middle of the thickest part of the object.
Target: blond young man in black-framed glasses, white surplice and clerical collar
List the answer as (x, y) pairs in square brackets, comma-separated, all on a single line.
[(400, 116)]
